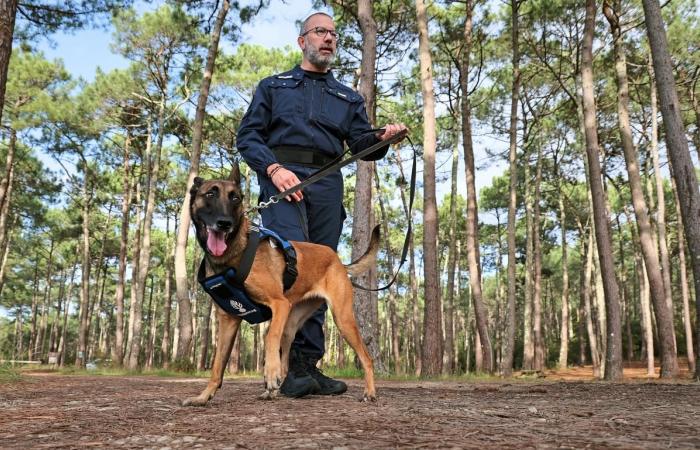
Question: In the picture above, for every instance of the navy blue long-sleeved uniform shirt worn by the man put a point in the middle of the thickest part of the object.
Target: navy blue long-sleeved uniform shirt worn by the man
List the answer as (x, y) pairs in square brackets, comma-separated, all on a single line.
[(304, 109)]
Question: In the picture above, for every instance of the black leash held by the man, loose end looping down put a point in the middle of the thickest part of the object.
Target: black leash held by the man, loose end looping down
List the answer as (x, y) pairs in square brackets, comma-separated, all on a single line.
[(339, 163)]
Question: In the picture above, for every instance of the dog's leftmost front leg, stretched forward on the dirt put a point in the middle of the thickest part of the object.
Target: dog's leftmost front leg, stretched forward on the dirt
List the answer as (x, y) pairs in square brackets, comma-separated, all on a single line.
[(228, 328)]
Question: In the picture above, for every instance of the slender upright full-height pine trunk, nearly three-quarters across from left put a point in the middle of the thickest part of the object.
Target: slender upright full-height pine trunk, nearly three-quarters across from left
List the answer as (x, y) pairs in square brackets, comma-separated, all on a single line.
[(509, 351)]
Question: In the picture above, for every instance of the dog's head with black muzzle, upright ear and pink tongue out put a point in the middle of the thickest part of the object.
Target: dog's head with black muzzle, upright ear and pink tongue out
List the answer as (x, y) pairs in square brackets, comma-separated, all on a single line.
[(216, 207)]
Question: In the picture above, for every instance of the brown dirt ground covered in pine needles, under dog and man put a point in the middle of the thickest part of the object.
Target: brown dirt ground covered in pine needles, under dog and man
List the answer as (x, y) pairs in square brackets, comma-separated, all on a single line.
[(49, 410)]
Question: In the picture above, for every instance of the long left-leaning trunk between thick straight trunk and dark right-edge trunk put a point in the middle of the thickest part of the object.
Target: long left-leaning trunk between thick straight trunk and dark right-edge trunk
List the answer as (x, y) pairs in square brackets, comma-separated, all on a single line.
[(662, 309)]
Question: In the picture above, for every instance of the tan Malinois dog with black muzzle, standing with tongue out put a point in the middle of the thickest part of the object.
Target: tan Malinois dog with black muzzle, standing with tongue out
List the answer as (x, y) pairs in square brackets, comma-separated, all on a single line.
[(221, 226)]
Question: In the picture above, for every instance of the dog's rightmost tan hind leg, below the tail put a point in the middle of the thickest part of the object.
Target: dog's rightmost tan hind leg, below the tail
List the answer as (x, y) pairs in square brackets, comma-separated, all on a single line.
[(340, 303)]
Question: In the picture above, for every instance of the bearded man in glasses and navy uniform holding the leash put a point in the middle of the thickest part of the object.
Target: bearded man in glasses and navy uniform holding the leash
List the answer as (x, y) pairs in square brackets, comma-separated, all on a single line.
[(297, 122)]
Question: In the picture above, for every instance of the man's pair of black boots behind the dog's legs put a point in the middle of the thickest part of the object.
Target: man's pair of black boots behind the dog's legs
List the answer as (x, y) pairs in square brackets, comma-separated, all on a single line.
[(304, 378)]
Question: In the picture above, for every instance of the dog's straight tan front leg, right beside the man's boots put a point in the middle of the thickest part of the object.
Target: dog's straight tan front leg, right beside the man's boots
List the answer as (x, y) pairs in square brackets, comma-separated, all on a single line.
[(273, 371)]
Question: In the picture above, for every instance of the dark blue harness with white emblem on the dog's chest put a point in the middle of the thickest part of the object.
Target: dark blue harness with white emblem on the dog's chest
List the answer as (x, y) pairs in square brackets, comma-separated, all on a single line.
[(227, 289)]
